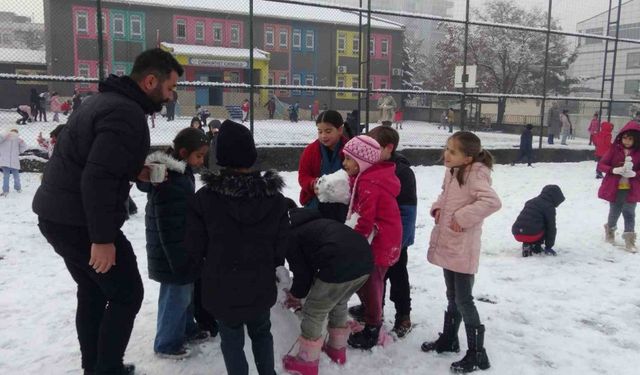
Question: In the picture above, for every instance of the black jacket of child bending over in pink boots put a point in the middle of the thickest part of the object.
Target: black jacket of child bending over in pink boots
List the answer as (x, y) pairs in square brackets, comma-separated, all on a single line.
[(326, 249)]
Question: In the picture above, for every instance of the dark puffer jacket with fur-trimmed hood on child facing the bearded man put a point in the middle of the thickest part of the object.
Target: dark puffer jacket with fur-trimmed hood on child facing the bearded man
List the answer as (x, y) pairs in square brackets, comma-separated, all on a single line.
[(165, 221)]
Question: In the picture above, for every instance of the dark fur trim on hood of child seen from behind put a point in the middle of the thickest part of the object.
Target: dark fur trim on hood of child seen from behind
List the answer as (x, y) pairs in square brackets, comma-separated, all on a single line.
[(238, 185)]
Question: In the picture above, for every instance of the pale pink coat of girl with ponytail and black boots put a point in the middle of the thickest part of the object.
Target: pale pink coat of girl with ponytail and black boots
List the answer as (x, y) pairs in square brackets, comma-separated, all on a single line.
[(469, 204)]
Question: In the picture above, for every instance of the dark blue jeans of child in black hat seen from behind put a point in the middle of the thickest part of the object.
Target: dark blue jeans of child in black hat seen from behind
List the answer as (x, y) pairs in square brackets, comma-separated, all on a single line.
[(232, 345)]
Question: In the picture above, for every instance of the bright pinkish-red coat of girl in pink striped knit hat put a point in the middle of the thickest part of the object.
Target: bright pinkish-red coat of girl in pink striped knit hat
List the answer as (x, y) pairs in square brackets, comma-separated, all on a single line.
[(374, 205)]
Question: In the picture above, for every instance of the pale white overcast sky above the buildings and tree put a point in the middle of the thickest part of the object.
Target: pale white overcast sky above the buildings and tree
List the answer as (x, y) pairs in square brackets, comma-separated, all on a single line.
[(568, 11)]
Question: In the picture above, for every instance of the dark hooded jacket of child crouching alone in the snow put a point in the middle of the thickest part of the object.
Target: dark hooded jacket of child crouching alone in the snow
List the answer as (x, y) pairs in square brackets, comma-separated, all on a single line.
[(539, 215)]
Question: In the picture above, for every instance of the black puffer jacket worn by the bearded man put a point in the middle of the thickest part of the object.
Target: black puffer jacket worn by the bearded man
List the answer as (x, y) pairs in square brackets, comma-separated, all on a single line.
[(101, 149)]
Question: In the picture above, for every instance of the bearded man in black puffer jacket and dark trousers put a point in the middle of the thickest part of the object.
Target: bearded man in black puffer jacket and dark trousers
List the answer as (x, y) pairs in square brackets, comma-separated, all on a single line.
[(81, 204)]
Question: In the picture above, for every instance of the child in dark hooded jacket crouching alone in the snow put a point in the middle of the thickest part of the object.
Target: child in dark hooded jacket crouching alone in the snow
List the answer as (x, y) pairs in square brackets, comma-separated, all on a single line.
[(536, 223)]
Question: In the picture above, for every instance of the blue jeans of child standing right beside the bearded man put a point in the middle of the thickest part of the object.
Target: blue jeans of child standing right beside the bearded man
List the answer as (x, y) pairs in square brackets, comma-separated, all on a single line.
[(175, 317)]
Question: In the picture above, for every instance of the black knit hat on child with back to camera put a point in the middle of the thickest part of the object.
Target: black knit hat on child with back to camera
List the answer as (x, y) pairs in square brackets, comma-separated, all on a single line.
[(235, 147)]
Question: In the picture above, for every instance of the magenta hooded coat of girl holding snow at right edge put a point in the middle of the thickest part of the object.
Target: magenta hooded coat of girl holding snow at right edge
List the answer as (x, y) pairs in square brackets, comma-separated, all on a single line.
[(615, 158)]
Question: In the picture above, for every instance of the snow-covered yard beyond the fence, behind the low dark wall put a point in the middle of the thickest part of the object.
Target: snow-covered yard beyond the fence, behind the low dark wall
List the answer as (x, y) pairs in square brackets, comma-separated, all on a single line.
[(269, 133)]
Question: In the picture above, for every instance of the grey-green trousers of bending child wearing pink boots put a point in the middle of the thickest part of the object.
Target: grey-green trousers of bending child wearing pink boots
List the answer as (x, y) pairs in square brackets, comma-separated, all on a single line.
[(327, 298)]
